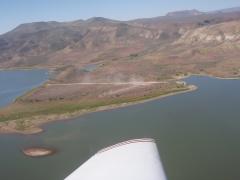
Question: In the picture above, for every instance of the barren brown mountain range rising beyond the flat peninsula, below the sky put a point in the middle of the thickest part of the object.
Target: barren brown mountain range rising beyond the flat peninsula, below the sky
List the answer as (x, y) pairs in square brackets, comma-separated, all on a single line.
[(189, 40)]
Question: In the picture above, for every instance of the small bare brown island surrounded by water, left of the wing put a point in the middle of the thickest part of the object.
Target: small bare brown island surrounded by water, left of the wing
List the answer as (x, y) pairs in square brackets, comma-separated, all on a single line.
[(38, 152)]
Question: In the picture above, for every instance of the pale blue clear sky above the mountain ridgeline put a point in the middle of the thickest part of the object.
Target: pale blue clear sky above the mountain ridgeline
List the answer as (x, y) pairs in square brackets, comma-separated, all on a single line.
[(15, 12)]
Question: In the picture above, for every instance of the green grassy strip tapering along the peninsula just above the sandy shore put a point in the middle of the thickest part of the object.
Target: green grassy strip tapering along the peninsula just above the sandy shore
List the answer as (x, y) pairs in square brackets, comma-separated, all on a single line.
[(22, 110)]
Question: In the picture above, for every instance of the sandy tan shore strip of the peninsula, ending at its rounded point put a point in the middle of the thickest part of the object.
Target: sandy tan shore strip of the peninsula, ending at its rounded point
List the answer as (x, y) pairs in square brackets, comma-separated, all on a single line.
[(37, 128)]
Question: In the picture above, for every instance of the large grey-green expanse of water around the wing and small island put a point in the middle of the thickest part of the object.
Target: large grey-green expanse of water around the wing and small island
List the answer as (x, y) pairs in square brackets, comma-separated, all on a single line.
[(197, 133)]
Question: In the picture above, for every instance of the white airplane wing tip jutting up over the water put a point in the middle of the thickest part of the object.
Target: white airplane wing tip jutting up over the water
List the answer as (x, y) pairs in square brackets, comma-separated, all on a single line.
[(130, 160)]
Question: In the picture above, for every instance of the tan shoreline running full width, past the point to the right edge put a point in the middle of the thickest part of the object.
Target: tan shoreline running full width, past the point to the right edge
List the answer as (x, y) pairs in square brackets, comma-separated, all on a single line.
[(38, 122)]
